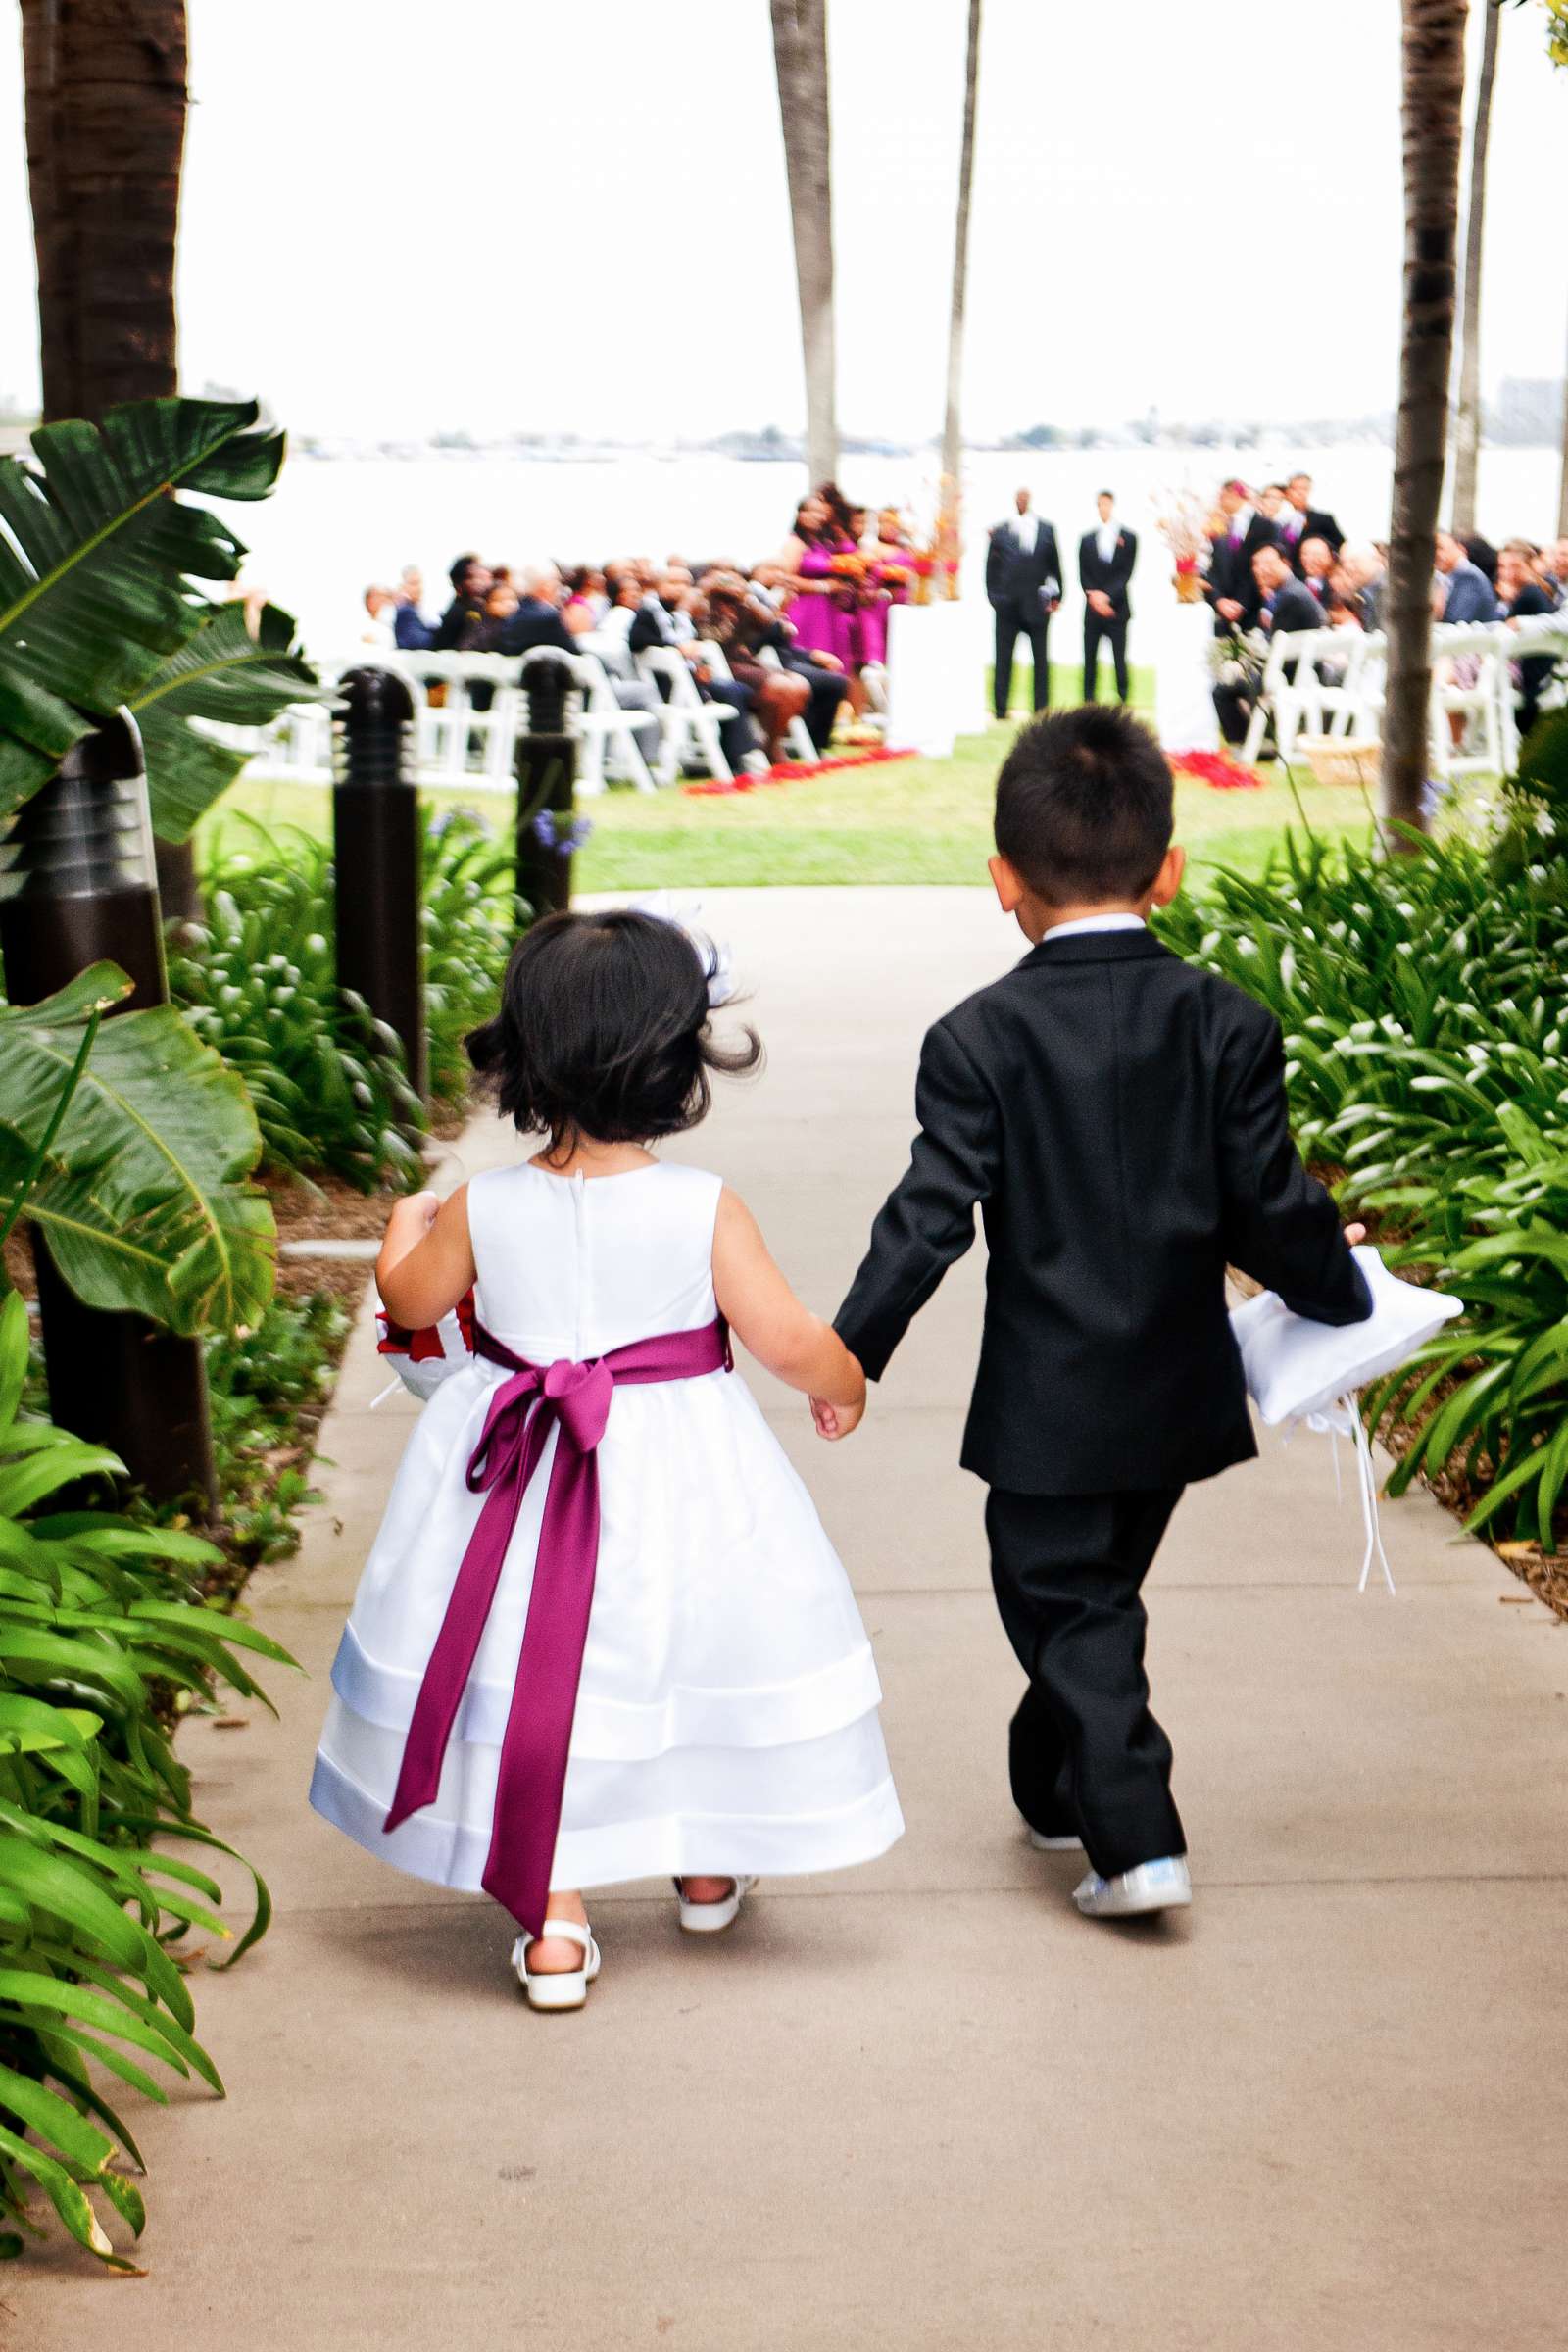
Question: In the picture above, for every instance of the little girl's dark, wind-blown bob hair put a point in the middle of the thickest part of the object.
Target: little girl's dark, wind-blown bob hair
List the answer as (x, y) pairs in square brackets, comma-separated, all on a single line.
[(603, 1031)]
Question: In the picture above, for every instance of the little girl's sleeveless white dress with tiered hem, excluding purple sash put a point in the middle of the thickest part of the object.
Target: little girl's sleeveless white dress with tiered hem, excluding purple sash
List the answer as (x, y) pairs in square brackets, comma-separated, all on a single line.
[(728, 1711)]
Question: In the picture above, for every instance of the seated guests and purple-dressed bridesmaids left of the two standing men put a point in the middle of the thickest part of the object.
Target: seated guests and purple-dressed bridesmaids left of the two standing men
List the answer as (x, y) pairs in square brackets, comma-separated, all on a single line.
[(803, 634)]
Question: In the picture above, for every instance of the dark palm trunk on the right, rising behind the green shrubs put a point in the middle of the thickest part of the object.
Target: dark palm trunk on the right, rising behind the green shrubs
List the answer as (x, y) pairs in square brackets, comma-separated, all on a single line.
[(1433, 109)]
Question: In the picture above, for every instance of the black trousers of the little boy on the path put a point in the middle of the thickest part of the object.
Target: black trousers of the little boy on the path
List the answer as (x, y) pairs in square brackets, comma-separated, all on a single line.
[(1085, 1753)]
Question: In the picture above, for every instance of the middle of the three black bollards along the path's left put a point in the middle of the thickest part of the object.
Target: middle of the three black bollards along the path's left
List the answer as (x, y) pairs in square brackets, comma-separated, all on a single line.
[(380, 857)]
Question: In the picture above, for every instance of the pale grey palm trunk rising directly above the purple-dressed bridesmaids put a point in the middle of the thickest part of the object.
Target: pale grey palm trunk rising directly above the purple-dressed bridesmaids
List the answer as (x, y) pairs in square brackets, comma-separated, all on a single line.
[(800, 65)]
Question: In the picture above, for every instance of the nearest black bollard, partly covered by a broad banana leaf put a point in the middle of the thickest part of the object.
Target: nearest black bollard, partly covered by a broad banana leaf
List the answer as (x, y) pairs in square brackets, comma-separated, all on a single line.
[(79, 888)]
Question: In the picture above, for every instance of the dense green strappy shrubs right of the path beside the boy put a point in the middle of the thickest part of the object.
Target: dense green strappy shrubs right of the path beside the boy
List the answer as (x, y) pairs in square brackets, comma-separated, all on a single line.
[(1426, 1015)]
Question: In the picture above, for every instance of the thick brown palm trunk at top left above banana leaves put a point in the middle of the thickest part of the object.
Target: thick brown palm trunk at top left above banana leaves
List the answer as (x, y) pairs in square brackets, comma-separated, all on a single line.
[(107, 131)]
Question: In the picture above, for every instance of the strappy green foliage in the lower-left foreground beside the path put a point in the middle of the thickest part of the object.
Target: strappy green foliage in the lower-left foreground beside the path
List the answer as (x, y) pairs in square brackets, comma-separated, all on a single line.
[(100, 1617)]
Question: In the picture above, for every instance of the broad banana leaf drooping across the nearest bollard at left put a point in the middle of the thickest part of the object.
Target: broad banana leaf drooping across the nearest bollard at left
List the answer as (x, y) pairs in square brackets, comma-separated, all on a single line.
[(140, 1184)]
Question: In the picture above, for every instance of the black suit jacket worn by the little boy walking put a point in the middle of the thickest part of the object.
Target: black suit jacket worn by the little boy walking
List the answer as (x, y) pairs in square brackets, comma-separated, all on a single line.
[(1123, 1123)]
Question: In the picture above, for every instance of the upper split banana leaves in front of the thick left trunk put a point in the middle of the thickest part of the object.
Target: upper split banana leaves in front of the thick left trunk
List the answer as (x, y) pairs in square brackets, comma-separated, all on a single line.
[(102, 552)]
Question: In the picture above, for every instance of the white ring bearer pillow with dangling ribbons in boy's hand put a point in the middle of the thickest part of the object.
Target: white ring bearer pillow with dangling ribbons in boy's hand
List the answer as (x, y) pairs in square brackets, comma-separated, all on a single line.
[(1308, 1372)]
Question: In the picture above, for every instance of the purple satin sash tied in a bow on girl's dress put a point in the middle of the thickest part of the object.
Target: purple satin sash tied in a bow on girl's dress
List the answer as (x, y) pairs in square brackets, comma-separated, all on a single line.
[(518, 1424)]
